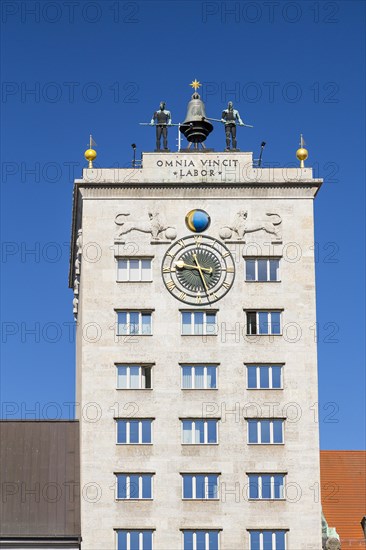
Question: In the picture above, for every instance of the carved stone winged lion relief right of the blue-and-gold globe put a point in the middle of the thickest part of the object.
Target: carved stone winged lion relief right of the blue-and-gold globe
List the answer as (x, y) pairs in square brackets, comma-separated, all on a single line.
[(241, 226)]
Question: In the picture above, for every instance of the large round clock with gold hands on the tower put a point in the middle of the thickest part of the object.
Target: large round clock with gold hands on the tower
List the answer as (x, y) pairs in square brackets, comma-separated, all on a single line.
[(198, 270)]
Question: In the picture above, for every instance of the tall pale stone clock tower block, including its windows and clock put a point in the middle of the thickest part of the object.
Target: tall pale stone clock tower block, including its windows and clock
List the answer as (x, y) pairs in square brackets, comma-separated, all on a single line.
[(194, 298)]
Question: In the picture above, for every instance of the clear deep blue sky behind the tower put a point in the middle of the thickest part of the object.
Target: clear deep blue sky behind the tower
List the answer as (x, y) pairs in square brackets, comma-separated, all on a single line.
[(69, 69)]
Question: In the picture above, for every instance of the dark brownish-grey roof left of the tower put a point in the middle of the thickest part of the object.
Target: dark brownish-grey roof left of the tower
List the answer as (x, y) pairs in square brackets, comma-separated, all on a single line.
[(39, 479)]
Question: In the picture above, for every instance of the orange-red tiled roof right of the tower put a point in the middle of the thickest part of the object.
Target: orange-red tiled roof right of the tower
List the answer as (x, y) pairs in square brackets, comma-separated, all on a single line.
[(343, 494)]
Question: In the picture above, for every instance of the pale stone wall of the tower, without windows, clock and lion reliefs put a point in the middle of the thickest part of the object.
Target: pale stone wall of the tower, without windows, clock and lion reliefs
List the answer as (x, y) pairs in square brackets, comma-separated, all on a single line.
[(171, 185)]
